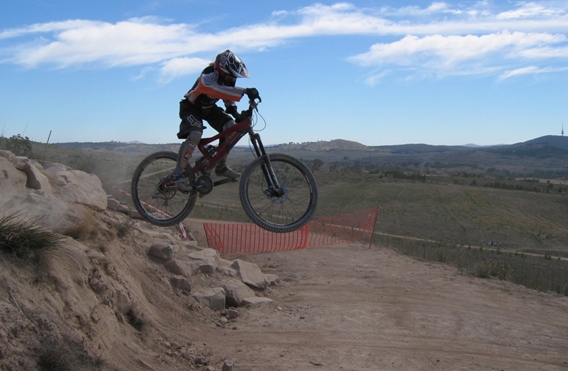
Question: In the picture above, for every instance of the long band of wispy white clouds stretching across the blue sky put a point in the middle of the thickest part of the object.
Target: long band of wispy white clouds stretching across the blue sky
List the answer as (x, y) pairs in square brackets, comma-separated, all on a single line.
[(440, 37)]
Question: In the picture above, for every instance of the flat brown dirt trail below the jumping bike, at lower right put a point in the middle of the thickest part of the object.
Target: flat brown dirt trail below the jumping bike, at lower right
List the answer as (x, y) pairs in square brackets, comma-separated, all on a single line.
[(350, 308)]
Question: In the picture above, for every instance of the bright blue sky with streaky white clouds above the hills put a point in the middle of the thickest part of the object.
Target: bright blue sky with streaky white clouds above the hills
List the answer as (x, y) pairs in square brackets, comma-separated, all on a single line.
[(376, 72)]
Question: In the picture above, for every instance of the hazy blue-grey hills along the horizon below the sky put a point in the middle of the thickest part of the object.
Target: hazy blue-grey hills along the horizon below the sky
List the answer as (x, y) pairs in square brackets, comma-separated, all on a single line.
[(544, 156)]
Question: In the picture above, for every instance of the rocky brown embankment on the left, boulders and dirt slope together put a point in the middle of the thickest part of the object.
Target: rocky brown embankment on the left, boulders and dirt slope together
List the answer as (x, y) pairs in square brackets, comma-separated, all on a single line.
[(114, 287)]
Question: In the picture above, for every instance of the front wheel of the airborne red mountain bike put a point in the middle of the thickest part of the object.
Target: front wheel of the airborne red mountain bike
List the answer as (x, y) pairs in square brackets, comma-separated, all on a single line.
[(283, 206)]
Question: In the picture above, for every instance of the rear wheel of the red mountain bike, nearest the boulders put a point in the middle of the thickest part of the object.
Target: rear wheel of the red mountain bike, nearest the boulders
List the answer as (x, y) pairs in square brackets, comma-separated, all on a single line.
[(157, 199)]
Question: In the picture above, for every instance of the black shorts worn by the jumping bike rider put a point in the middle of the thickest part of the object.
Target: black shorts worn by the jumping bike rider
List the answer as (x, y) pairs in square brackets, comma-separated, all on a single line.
[(192, 118)]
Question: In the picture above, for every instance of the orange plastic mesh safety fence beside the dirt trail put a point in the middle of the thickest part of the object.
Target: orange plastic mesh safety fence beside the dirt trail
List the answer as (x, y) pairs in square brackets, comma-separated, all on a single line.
[(232, 238)]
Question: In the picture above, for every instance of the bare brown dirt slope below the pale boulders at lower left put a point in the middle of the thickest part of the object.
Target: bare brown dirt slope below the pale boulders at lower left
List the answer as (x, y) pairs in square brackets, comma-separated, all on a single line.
[(102, 303)]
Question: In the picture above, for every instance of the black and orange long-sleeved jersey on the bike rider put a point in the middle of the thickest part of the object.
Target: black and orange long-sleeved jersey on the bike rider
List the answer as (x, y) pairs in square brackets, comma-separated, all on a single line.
[(207, 91)]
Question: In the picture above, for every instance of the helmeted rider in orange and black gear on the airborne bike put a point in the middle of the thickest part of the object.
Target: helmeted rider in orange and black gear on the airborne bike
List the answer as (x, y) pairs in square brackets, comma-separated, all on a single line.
[(217, 81)]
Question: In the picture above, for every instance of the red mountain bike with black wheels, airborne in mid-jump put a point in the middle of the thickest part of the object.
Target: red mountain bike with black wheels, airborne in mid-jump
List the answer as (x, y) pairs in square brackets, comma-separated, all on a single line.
[(278, 192)]
